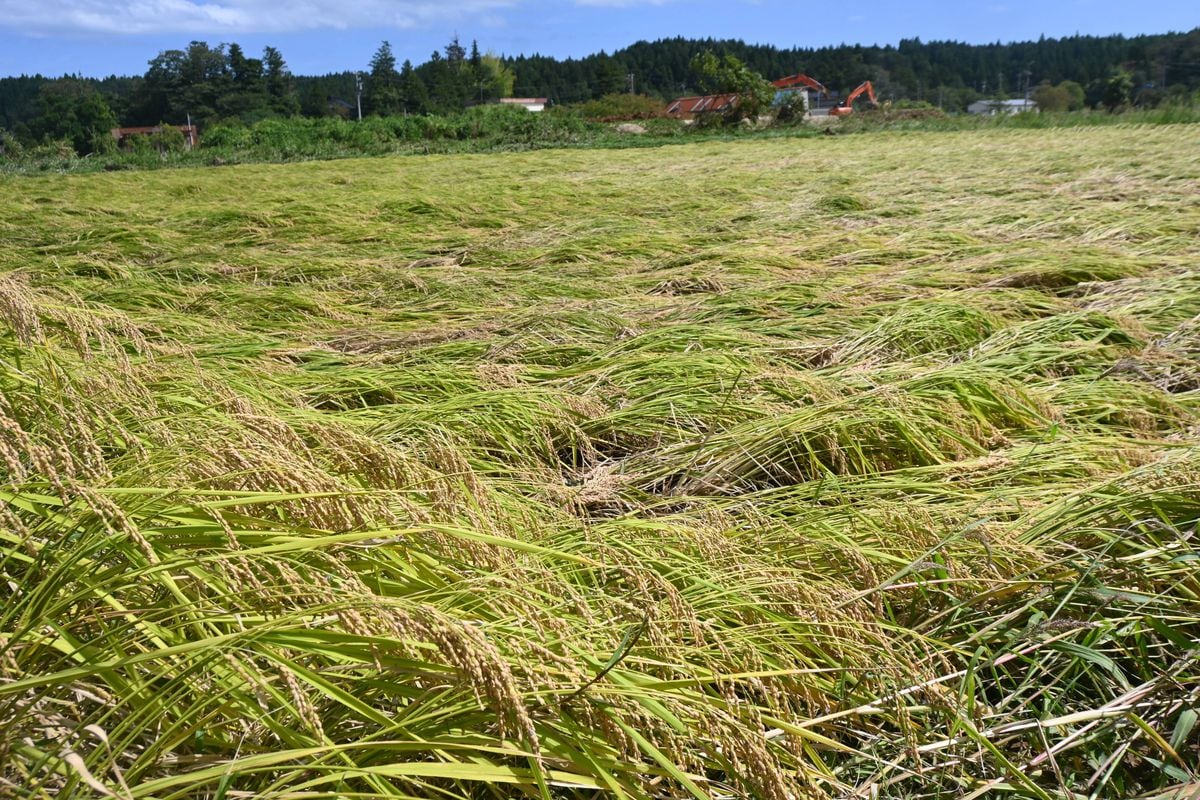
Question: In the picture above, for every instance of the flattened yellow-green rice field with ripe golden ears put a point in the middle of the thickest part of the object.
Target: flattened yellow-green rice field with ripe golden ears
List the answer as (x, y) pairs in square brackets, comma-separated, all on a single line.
[(842, 467)]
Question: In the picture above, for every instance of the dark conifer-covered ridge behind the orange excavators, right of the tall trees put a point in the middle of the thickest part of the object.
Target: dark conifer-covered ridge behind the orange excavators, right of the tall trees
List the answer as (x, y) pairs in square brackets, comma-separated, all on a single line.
[(951, 73)]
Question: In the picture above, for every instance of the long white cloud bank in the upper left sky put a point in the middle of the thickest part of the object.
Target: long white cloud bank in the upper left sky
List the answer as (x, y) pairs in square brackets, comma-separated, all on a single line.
[(230, 16)]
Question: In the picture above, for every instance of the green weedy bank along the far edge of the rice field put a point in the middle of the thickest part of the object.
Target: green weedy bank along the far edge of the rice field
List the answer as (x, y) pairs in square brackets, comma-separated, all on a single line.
[(495, 129)]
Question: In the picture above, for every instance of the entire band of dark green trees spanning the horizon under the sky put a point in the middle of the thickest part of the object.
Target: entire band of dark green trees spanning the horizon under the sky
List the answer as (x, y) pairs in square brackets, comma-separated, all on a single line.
[(223, 83)]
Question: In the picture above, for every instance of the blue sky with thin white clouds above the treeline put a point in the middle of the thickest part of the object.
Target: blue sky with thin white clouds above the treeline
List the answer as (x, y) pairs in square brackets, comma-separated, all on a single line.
[(99, 38)]
